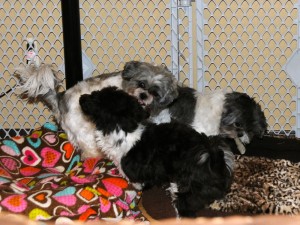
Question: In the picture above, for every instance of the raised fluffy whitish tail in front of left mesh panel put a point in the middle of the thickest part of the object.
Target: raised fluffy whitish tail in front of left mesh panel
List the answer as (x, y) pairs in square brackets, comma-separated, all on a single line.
[(39, 83)]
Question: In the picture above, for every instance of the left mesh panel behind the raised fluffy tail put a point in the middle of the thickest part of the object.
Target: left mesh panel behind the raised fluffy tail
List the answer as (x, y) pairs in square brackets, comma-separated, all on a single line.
[(19, 20)]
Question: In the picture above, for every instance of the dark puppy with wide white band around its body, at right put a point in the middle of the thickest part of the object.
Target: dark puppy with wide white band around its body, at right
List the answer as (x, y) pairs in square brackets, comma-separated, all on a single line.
[(230, 114)]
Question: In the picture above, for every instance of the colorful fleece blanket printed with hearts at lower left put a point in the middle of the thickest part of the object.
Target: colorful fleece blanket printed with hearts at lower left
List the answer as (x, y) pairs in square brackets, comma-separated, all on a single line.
[(43, 177)]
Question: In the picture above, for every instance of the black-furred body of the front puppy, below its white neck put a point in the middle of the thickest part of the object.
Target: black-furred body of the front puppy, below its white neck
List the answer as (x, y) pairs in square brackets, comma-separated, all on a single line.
[(175, 153)]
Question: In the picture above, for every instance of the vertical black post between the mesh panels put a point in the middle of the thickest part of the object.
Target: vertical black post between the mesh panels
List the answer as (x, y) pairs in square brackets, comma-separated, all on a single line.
[(72, 41)]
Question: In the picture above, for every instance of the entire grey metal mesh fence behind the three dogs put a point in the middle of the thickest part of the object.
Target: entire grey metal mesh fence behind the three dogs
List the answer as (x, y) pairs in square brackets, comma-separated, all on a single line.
[(243, 45)]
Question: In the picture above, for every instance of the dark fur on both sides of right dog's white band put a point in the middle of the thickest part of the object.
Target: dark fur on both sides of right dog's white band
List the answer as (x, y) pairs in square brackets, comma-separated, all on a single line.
[(241, 113)]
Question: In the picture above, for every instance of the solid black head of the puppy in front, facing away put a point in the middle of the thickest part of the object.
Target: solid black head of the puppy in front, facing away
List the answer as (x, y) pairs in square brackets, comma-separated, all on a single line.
[(111, 109)]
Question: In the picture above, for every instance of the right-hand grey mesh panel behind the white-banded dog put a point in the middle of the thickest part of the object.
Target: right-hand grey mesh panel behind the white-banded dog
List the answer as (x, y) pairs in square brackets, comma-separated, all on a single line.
[(246, 45)]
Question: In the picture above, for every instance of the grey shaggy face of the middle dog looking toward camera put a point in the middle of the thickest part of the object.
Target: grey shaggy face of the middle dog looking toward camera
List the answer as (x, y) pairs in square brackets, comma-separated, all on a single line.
[(155, 87)]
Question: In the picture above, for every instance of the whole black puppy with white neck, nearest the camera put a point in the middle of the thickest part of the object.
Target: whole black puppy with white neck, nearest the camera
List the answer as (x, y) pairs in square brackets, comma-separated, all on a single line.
[(198, 167)]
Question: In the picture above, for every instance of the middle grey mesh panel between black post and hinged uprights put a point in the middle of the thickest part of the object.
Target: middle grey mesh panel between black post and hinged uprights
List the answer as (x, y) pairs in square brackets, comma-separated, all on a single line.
[(114, 32)]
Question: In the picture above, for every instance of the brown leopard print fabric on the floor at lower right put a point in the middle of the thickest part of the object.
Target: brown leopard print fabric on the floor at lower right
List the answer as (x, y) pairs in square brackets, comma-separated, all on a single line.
[(263, 186)]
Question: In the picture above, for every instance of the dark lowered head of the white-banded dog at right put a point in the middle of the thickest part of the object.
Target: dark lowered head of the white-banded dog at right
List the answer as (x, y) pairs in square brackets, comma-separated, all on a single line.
[(242, 117)]
